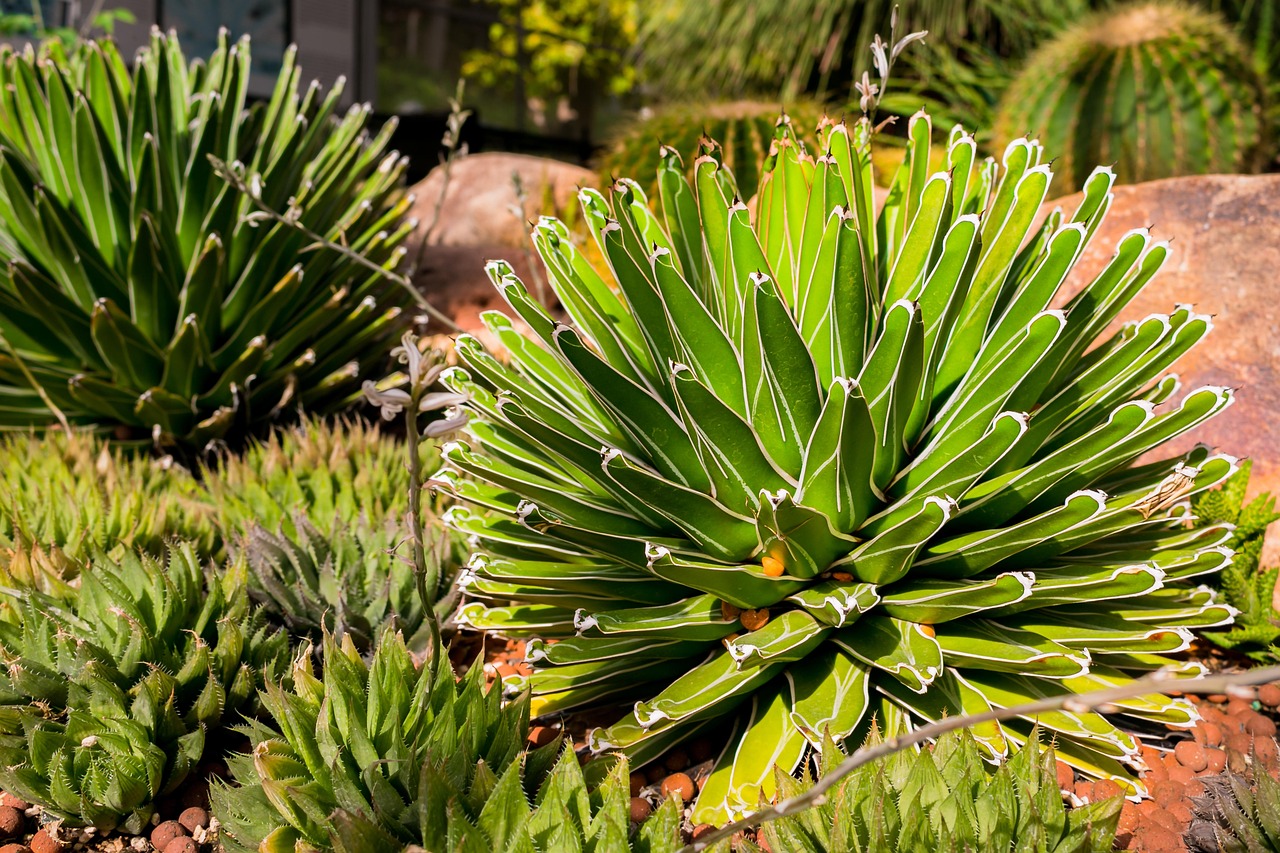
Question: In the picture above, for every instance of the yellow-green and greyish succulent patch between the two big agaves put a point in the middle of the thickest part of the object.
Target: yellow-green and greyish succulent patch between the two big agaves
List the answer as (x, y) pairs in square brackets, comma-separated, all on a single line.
[(319, 513)]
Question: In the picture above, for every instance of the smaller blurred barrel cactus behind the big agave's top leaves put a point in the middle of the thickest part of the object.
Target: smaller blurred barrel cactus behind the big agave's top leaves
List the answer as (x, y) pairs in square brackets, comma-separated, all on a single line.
[(743, 130)]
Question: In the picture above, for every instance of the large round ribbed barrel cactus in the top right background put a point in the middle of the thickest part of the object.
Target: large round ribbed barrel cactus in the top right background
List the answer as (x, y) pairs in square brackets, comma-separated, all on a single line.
[(1158, 89)]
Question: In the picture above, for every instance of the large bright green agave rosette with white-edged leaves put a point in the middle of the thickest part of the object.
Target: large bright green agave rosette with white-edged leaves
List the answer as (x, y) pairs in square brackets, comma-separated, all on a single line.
[(797, 468)]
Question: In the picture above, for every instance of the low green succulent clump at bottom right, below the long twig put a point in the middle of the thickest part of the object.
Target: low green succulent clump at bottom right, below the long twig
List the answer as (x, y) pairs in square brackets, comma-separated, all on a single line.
[(944, 799)]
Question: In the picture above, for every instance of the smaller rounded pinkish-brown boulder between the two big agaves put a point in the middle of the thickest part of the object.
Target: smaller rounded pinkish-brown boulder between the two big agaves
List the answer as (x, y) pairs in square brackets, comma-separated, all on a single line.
[(481, 198)]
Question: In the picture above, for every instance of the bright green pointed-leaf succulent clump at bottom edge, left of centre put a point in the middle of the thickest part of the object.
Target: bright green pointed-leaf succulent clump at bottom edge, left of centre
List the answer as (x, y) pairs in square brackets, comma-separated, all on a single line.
[(376, 756)]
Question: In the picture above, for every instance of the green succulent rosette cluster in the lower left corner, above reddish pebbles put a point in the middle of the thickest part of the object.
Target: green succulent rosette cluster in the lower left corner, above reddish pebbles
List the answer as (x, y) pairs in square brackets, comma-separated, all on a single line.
[(107, 699)]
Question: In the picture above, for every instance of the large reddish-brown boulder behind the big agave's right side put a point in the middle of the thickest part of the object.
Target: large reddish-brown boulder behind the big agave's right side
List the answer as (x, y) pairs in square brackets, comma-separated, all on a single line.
[(1224, 232)]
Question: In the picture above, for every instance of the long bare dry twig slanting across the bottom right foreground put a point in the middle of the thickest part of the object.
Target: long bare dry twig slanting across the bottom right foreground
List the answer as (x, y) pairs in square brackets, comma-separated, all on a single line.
[(1078, 703)]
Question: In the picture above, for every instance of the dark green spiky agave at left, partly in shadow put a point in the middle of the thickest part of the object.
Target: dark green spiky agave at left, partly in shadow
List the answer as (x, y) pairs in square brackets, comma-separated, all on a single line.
[(145, 291)]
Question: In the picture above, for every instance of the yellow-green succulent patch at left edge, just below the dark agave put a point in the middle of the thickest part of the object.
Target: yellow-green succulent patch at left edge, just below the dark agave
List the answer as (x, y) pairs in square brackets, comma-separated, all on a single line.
[(66, 498)]
